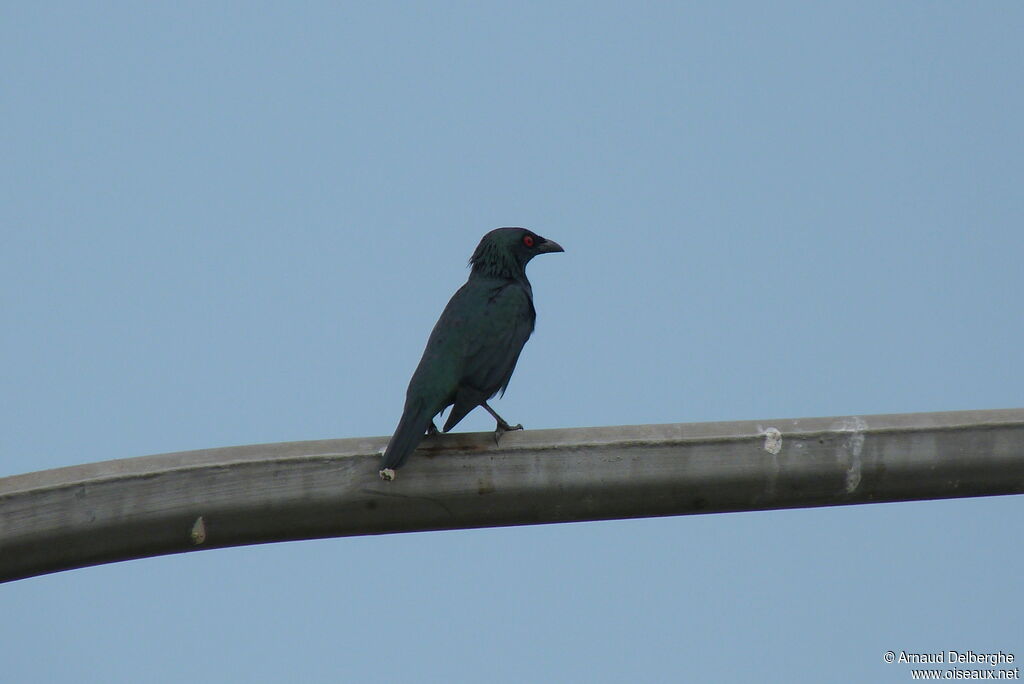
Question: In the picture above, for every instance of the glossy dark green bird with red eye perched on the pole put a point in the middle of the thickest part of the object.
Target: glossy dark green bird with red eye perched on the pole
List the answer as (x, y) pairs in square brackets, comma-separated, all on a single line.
[(476, 345)]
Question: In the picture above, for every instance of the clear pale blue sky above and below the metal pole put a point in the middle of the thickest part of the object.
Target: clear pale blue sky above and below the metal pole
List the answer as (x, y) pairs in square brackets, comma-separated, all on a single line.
[(237, 224)]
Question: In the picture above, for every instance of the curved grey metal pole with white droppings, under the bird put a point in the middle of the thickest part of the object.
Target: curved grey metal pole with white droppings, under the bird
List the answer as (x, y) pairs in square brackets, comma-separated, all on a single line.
[(117, 510)]
